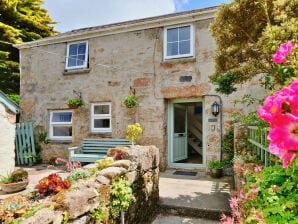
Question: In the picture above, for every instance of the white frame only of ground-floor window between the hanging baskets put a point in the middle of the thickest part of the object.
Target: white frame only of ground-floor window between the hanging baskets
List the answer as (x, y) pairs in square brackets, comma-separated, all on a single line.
[(101, 116)]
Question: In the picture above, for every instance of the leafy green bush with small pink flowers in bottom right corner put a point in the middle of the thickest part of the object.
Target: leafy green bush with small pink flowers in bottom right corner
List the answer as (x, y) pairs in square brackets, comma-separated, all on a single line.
[(267, 196)]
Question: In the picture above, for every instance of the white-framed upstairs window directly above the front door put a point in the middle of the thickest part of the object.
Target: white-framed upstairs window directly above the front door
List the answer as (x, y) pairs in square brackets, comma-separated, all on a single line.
[(178, 42)]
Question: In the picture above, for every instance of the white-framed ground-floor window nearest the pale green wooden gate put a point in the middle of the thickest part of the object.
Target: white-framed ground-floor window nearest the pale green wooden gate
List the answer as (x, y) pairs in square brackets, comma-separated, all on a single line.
[(61, 125)]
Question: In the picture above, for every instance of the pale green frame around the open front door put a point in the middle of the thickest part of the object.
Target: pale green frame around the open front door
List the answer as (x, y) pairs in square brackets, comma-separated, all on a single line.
[(170, 131)]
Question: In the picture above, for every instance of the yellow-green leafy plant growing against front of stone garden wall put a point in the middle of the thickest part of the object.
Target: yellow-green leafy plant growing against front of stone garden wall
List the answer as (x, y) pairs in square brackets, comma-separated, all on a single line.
[(122, 196)]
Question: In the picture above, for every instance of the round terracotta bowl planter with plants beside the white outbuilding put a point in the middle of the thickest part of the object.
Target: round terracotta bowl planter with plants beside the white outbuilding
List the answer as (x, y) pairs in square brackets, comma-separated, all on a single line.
[(14, 181)]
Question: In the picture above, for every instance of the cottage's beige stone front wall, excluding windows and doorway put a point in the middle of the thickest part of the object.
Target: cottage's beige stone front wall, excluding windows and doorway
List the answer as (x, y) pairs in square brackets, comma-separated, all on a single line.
[(124, 57)]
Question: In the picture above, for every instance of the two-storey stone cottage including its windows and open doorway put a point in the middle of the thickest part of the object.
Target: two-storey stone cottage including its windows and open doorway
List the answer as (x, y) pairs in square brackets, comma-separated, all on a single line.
[(165, 61)]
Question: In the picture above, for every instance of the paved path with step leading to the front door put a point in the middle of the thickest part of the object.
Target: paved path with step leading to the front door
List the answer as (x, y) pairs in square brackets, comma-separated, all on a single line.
[(192, 196)]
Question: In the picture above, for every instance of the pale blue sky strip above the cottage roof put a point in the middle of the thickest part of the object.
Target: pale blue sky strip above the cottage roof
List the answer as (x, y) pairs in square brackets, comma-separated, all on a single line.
[(75, 14)]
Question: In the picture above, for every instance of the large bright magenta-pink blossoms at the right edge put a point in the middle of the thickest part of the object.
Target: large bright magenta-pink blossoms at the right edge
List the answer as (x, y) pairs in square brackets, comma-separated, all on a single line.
[(281, 111)]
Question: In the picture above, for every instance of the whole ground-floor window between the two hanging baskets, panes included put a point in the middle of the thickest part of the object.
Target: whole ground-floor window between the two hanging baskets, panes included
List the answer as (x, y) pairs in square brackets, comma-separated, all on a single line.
[(101, 117)]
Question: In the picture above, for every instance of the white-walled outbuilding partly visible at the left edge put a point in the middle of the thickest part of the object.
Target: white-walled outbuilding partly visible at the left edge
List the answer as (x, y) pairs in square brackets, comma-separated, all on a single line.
[(8, 112)]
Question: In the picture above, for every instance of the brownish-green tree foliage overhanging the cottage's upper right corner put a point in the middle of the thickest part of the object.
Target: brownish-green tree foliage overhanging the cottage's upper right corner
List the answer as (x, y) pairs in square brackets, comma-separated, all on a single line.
[(247, 34)]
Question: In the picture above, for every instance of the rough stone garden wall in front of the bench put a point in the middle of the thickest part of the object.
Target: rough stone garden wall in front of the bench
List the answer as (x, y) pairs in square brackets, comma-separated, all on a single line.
[(138, 163)]
